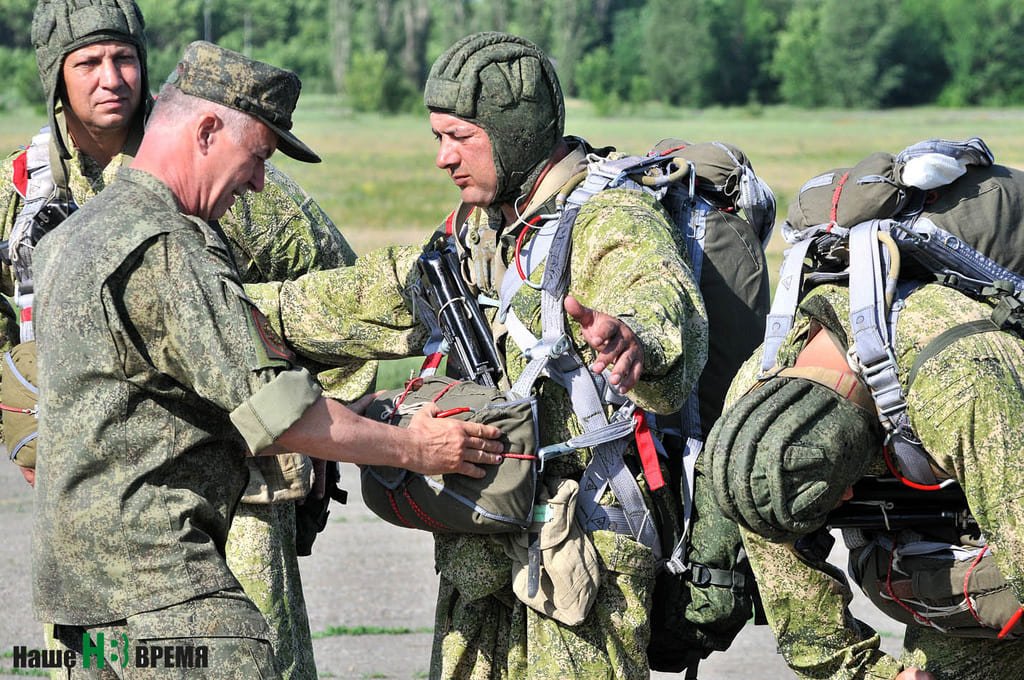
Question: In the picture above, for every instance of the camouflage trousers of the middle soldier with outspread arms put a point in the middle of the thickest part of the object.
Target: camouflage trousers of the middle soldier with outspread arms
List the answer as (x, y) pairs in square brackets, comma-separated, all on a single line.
[(483, 632)]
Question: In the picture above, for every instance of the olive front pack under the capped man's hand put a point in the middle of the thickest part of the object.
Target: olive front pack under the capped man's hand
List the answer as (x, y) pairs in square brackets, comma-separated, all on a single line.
[(501, 501)]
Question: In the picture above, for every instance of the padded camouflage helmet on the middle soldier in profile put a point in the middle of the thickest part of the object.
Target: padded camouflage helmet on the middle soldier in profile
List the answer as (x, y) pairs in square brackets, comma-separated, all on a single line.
[(506, 86)]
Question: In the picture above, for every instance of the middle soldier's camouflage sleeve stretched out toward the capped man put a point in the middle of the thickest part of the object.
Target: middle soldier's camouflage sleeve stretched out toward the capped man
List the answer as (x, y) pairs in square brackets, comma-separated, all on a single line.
[(360, 312)]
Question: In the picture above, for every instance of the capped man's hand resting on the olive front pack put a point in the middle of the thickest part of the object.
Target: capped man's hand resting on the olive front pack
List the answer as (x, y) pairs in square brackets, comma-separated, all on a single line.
[(452, 446)]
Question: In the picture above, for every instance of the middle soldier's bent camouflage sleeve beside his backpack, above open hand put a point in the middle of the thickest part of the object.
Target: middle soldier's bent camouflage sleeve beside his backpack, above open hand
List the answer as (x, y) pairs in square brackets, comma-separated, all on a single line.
[(626, 263)]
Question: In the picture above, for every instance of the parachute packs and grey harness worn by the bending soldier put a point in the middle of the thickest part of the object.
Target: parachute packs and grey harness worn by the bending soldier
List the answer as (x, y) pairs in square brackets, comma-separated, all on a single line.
[(942, 212)]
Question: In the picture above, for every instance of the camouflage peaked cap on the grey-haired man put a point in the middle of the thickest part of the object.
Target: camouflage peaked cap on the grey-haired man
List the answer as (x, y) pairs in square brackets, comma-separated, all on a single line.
[(264, 92)]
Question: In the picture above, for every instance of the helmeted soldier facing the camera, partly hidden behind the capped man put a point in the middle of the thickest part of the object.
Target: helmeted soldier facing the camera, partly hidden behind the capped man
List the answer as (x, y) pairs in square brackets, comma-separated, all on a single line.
[(276, 235)]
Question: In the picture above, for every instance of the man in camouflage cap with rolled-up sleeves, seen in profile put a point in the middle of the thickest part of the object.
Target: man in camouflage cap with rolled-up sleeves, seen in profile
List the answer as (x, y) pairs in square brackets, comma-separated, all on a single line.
[(157, 375)]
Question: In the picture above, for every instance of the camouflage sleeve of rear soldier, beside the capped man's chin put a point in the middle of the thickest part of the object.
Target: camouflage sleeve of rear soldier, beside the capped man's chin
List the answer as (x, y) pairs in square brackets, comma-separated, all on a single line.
[(281, 233)]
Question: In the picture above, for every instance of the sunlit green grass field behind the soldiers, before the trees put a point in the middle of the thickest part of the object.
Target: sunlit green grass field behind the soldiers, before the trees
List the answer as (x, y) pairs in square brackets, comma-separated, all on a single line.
[(379, 184)]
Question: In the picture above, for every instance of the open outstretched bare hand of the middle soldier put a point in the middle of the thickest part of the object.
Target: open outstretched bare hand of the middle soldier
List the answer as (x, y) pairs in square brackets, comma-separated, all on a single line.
[(616, 344)]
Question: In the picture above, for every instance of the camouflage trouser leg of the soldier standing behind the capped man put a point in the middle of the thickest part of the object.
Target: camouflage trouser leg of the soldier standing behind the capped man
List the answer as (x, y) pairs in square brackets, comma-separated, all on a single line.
[(262, 555)]
